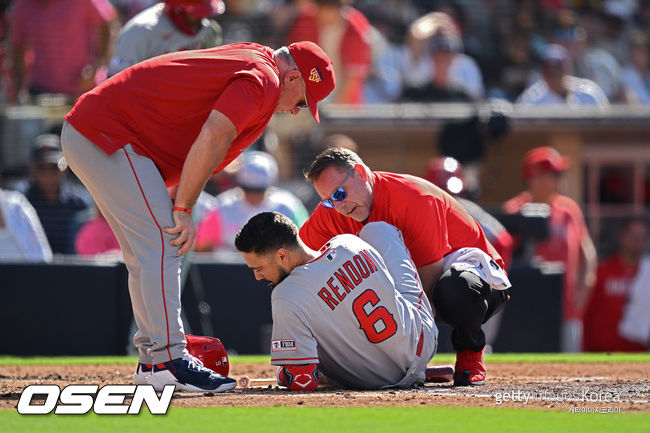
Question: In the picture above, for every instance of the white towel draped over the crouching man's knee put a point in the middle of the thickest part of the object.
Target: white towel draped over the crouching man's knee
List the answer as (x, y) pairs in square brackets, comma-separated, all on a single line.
[(480, 263)]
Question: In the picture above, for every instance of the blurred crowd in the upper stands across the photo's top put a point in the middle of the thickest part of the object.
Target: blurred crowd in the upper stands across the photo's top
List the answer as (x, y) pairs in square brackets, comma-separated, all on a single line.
[(535, 52)]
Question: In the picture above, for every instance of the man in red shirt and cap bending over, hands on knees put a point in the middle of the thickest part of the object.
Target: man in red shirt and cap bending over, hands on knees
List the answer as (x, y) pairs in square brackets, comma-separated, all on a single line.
[(174, 120)]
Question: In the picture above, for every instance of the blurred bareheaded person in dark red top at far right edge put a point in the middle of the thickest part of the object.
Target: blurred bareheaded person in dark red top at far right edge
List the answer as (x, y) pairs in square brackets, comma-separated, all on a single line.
[(611, 292)]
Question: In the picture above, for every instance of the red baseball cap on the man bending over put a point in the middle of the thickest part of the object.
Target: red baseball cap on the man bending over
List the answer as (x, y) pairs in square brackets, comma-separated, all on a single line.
[(317, 72)]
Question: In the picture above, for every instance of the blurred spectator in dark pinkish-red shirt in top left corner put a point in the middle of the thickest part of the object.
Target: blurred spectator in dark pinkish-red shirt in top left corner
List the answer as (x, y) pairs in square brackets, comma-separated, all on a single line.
[(71, 43)]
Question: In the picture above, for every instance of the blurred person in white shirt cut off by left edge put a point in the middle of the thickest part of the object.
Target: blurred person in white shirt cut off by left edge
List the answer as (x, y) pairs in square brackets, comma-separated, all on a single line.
[(21, 234)]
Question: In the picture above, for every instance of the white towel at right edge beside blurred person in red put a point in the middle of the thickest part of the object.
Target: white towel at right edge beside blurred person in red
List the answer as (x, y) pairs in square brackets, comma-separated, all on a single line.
[(635, 324)]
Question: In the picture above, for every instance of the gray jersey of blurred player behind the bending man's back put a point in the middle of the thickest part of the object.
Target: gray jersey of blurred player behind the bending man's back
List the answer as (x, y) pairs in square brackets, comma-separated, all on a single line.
[(151, 33)]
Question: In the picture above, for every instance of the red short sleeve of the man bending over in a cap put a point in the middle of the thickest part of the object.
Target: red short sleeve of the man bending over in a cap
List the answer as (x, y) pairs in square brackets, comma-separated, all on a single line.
[(239, 102)]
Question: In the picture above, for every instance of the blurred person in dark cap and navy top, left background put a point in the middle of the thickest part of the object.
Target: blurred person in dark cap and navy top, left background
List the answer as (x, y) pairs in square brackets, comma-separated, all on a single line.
[(56, 200)]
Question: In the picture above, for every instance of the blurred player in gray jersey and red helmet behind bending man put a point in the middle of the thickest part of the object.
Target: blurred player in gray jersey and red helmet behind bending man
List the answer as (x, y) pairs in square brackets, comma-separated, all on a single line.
[(171, 25)]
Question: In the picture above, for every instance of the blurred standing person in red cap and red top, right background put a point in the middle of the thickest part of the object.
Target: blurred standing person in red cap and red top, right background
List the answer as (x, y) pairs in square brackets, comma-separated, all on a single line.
[(568, 241)]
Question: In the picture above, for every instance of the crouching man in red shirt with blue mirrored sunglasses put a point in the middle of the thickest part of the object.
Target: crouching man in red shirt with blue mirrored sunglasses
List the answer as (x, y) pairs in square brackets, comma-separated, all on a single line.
[(460, 270)]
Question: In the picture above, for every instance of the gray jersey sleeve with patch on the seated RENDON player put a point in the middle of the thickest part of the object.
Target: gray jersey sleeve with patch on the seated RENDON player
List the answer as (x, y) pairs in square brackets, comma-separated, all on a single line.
[(292, 341)]
